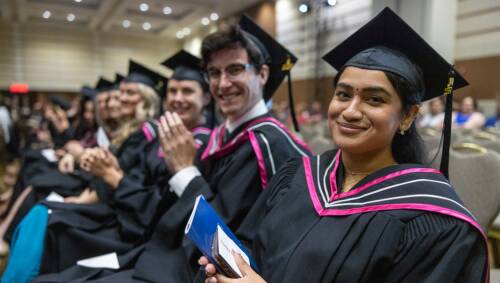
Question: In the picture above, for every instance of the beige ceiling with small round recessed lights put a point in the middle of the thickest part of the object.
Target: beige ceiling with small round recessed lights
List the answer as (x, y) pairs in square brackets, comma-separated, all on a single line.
[(169, 18)]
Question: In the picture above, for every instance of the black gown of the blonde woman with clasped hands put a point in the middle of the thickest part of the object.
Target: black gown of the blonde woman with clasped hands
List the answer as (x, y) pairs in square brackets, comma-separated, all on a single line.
[(76, 231)]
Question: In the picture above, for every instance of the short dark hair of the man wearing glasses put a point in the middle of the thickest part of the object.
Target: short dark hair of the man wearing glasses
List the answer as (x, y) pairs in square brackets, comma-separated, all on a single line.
[(231, 37)]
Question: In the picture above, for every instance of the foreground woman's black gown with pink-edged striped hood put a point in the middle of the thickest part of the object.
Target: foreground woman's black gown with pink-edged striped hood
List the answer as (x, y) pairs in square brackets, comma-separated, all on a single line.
[(403, 223)]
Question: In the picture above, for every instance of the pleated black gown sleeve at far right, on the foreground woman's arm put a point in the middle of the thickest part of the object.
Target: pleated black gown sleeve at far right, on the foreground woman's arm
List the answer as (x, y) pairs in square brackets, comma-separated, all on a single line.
[(439, 248)]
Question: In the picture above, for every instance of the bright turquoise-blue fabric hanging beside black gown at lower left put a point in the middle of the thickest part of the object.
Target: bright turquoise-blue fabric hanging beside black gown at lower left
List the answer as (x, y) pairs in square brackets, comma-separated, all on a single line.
[(27, 247)]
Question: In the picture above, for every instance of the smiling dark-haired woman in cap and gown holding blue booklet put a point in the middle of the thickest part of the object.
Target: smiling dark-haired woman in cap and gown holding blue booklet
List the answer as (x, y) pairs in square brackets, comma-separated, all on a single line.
[(369, 211)]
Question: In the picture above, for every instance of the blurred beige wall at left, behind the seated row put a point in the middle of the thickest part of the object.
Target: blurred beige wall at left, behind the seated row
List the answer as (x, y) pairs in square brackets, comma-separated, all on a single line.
[(62, 59)]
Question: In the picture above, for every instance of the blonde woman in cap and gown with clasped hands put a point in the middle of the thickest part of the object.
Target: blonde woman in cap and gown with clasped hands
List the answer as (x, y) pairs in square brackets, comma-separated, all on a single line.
[(75, 231)]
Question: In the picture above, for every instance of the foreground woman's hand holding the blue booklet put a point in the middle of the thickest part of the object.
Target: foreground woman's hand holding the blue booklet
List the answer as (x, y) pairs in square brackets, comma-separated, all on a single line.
[(249, 275)]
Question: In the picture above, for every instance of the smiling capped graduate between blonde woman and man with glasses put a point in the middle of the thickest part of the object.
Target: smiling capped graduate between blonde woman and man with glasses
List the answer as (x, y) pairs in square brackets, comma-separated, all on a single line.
[(140, 206)]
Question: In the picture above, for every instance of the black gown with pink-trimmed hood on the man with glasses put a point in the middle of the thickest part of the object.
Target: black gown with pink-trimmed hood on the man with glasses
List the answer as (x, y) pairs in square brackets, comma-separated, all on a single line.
[(235, 170)]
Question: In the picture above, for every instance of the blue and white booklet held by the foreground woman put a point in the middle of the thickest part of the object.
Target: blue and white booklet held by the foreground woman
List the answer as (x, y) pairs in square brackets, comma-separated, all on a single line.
[(215, 240)]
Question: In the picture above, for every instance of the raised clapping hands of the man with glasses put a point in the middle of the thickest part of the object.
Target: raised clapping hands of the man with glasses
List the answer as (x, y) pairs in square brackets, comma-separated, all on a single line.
[(177, 142)]
